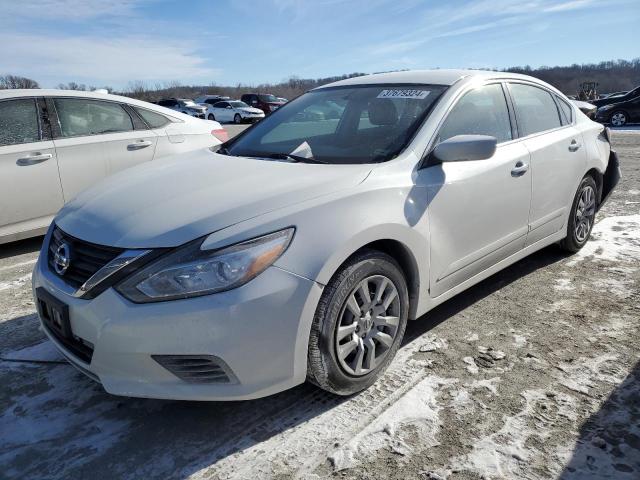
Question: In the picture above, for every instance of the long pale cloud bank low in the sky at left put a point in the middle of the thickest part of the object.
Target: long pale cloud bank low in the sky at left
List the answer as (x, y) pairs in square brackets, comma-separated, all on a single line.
[(114, 61)]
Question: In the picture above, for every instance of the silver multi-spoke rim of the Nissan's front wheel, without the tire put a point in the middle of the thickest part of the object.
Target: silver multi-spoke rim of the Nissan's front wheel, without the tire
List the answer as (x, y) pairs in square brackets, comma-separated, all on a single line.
[(368, 325)]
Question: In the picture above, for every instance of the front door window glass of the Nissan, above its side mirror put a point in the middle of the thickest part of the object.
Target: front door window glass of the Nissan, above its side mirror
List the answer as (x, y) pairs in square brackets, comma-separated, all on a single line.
[(482, 111)]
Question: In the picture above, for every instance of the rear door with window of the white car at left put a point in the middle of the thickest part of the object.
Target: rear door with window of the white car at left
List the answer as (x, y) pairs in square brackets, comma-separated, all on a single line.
[(94, 139)]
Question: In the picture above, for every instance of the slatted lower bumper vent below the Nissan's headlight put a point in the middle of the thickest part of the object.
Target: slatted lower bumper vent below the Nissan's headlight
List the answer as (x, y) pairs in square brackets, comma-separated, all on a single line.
[(197, 368)]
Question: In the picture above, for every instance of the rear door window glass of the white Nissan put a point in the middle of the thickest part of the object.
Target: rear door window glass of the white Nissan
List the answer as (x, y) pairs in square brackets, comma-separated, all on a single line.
[(535, 109)]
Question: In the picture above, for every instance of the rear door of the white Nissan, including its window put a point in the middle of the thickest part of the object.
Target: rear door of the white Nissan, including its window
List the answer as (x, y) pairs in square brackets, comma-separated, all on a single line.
[(558, 158)]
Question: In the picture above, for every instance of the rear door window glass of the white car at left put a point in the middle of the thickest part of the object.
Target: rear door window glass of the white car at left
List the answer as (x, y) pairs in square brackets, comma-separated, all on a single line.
[(80, 116)]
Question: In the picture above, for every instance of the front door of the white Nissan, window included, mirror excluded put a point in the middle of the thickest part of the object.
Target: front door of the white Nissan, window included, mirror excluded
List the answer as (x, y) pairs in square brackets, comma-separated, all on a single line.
[(478, 210)]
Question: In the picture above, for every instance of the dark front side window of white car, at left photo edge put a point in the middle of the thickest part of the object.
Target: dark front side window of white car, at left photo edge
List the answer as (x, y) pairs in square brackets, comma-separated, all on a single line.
[(19, 122)]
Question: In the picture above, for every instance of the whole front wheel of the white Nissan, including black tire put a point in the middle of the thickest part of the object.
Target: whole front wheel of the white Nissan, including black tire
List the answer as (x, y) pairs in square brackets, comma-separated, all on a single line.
[(336, 328)]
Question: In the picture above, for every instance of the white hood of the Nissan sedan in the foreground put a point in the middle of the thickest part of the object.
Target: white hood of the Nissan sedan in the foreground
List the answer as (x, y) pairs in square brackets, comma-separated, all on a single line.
[(166, 203)]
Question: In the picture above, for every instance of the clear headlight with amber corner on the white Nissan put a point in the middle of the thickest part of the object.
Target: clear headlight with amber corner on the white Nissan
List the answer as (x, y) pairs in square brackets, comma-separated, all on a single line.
[(191, 272)]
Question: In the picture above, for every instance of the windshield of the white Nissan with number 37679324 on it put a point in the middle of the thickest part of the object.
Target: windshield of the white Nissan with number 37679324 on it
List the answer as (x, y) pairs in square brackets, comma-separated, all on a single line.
[(341, 125)]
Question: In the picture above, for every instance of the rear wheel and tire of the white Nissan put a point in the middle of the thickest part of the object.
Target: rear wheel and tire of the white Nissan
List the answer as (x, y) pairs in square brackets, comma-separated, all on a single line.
[(582, 215)]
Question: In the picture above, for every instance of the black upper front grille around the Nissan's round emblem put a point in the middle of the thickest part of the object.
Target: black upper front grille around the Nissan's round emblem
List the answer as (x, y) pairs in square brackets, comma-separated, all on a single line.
[(86, 258)]
